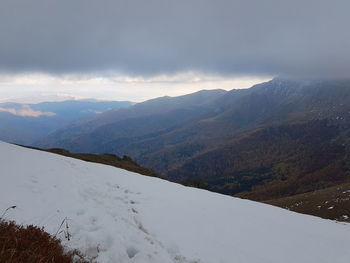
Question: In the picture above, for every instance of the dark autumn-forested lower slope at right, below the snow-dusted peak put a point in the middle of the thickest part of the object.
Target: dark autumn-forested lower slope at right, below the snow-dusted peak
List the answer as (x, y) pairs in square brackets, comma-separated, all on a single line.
[(284, 160)]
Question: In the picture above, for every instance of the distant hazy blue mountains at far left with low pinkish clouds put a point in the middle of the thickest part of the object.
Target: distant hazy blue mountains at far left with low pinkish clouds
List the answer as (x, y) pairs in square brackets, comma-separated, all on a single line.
[(26, 123)]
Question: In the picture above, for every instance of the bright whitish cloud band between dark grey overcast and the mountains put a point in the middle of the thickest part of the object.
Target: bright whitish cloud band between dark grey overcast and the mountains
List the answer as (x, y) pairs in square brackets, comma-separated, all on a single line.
[(115, 87)]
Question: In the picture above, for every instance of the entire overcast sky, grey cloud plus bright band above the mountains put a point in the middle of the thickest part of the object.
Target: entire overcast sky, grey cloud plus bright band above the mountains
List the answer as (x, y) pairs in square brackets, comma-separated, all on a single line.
[(219, 42)]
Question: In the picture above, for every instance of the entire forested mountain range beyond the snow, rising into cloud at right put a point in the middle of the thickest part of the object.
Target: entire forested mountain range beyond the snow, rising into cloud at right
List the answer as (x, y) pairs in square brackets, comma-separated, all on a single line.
[(276, 139)]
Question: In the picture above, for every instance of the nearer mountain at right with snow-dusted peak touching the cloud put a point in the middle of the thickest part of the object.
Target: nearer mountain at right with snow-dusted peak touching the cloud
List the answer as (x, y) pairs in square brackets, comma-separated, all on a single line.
[(301, 144)]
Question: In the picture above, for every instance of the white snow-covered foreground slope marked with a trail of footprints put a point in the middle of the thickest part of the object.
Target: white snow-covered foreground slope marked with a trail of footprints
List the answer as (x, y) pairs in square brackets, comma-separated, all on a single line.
[(119, 216)]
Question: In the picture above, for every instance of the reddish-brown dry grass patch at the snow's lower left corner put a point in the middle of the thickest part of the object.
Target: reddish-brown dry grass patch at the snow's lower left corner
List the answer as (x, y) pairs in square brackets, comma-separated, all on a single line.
[(31, 244)]
